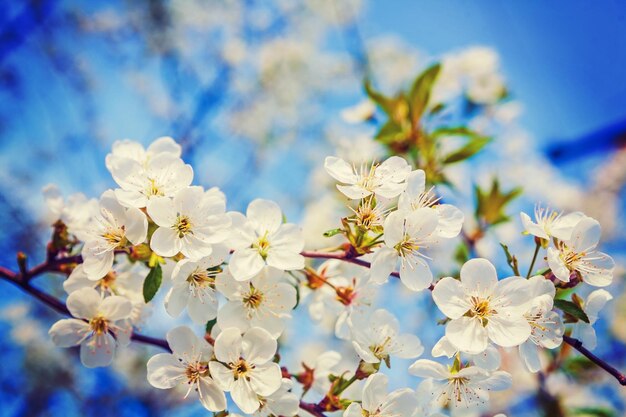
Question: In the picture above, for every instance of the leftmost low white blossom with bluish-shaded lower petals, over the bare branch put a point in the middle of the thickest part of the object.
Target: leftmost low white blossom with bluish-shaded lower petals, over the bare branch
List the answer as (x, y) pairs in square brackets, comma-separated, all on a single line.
[(97, 328)]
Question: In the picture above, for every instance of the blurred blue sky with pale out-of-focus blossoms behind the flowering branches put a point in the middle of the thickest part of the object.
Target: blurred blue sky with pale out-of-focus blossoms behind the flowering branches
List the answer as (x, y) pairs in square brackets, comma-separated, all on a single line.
[(255, 91)]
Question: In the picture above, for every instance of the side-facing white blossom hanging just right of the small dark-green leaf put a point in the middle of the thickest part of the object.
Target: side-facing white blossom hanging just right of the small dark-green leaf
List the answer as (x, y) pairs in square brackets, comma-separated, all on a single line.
[(194, 286)]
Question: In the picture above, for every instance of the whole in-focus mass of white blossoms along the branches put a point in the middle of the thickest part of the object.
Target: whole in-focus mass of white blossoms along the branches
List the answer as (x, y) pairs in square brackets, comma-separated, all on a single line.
[(241, 275)]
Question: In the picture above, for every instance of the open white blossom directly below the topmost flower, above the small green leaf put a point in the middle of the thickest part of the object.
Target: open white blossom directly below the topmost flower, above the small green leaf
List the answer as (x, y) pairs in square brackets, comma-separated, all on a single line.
[(190, 223)]
